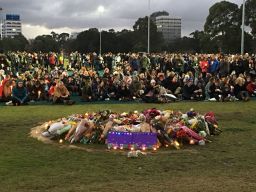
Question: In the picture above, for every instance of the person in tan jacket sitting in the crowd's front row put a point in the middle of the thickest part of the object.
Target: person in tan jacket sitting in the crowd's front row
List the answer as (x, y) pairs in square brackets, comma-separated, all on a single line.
[(61, 94)]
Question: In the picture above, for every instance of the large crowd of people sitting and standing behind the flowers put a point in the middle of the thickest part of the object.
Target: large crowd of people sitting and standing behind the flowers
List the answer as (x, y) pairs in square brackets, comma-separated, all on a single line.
[(164, 77)]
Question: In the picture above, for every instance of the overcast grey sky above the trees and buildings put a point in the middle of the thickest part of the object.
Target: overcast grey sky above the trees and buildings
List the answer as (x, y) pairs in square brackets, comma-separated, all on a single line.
[(43, 16)]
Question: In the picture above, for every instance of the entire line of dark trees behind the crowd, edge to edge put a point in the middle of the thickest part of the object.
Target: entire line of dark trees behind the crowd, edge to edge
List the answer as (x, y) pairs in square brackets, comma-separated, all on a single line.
[(222, 33)]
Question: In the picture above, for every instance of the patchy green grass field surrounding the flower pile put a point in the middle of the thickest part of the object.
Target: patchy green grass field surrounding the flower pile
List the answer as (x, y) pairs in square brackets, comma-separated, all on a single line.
[(226, 164)]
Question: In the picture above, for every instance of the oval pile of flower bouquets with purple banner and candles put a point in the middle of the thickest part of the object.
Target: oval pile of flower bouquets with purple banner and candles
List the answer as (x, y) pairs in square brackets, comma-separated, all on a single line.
[(147, 130)]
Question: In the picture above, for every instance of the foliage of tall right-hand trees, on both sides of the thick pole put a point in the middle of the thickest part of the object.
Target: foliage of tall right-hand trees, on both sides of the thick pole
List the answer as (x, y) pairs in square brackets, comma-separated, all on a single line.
[(223, 27)]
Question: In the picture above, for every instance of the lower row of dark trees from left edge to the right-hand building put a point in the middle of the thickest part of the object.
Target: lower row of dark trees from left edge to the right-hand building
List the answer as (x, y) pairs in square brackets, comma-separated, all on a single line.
[(88, 41)]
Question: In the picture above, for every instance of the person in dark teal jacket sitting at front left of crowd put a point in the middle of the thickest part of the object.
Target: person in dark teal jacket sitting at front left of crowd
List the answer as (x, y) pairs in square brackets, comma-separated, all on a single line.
[(20, 94)]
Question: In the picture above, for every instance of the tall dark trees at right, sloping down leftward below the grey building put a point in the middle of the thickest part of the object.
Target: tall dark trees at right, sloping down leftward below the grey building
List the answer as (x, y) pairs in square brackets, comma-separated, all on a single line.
[(222, 30)]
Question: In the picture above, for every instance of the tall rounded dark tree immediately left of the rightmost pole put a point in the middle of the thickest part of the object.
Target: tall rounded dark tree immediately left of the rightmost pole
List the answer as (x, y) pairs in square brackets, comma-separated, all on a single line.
[(223, 27)]
